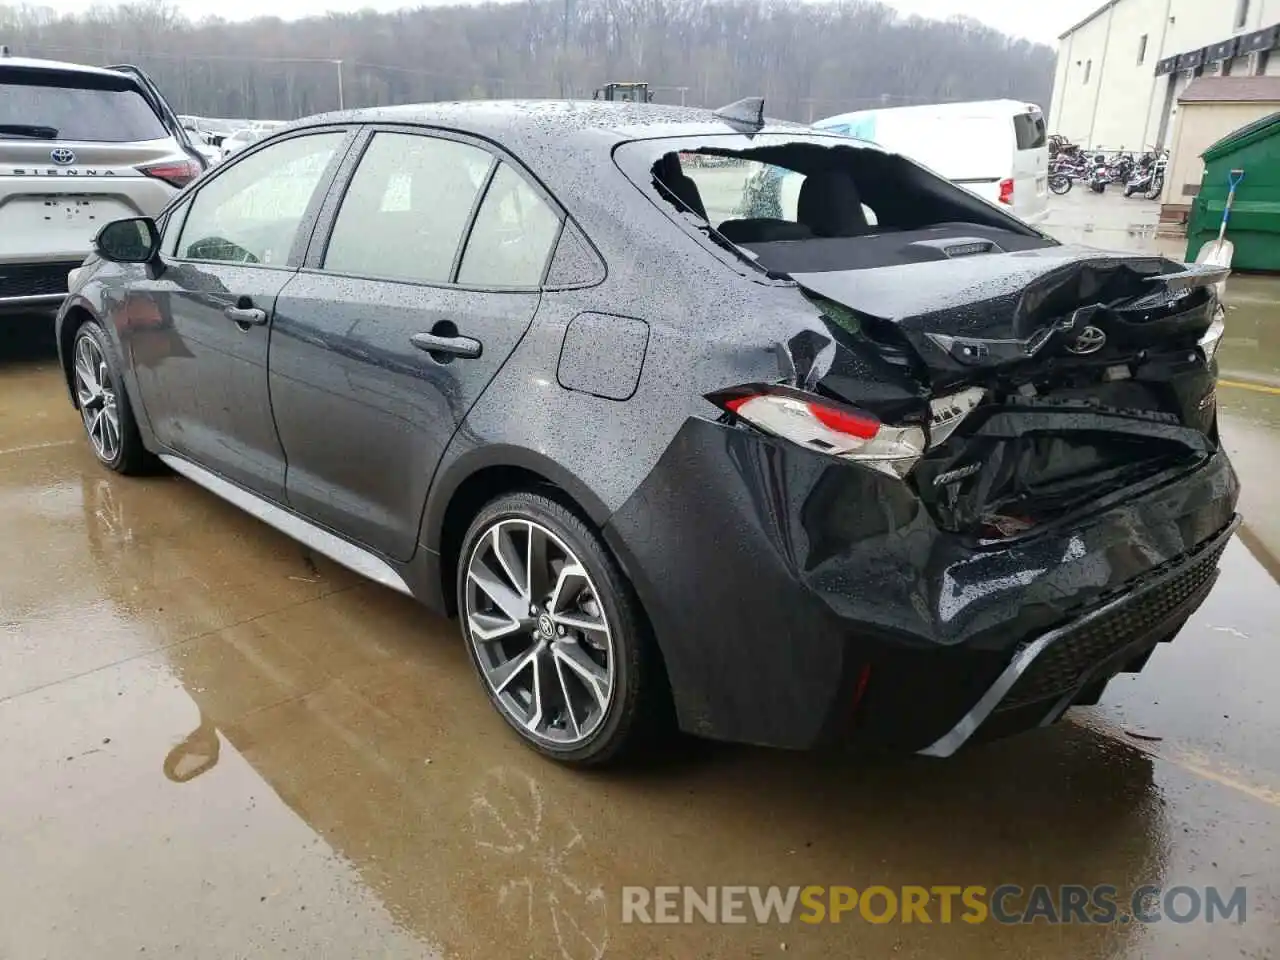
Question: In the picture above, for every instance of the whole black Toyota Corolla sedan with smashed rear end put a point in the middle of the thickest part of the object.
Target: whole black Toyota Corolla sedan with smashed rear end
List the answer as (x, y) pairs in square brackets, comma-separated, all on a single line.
[(680, 412)]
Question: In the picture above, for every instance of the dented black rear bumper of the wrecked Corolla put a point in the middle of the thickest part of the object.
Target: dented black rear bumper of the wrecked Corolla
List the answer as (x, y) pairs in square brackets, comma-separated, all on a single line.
[(802, 602)]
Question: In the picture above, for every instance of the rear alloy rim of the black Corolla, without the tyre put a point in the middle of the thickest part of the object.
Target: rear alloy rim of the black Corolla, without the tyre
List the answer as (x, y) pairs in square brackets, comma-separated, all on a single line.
[(540, 633)]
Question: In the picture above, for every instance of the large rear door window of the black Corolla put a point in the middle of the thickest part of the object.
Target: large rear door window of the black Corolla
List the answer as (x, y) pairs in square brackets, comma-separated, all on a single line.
[(406, 209)]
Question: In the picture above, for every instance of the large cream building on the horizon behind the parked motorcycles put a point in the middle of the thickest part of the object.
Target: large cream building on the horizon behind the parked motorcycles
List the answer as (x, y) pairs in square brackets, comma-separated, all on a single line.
[(1122, 71)]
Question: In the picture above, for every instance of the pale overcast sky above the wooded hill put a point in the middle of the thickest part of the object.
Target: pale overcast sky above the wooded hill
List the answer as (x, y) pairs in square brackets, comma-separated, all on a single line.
[(1036, 20)]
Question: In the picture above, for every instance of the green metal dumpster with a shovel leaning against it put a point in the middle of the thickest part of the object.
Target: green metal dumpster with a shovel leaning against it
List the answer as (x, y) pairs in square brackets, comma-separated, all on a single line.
[(1255, 225)]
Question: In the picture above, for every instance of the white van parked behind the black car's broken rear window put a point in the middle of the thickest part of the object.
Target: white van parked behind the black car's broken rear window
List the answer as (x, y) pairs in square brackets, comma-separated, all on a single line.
[(995, 148)]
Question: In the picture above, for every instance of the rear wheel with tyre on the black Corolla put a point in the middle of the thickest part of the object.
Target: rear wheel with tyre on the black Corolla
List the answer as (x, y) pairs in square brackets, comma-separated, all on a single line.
[(555, 630)]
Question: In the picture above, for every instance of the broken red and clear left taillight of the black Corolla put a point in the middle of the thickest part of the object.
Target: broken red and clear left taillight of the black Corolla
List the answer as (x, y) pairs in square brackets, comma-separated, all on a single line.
[(826, 427)]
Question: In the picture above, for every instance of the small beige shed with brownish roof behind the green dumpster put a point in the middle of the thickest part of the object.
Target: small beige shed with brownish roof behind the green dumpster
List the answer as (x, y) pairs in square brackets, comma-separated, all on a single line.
[(1209, 109)]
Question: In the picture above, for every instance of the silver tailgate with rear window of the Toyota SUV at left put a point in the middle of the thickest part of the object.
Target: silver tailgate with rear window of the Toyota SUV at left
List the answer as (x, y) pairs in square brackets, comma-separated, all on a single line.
[(74, 147)]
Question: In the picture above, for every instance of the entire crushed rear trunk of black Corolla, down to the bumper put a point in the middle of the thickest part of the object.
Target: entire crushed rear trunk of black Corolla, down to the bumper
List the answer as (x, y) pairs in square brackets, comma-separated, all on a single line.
[(1052, 382)]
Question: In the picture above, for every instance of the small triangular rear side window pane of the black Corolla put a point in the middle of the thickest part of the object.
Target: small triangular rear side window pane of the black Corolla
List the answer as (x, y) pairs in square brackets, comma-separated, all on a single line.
[(513, 237)]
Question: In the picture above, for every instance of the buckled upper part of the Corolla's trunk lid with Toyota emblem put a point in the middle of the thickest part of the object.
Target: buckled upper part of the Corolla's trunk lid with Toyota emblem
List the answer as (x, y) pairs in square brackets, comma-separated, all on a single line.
[(1003, 312)]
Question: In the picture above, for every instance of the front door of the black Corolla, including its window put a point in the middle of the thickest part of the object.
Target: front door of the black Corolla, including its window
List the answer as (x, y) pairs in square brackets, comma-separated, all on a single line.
[(203, 365)]
